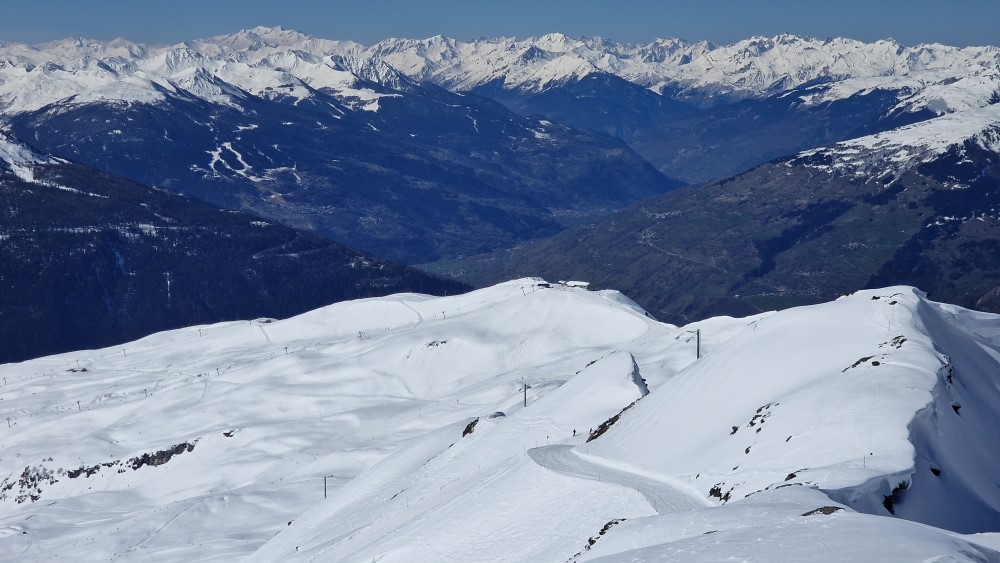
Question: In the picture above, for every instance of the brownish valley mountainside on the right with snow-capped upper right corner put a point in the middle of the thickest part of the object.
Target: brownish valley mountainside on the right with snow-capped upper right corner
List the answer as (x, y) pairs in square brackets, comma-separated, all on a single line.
[(918, 205)]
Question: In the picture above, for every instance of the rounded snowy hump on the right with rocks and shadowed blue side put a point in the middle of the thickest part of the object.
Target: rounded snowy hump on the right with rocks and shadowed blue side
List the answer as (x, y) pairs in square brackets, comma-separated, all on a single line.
[(828, 396)]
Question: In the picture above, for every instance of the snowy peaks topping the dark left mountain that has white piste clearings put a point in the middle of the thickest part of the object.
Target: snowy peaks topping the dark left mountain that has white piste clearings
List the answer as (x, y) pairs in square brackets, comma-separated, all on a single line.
[(263, 61)]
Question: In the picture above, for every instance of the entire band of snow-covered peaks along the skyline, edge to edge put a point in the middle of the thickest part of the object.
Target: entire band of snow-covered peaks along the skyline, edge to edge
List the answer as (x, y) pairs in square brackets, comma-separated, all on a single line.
[(277, 62)]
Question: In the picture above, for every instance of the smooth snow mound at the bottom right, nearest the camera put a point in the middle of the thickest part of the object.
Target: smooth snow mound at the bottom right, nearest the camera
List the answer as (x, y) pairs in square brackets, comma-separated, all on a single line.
[(782, 526)]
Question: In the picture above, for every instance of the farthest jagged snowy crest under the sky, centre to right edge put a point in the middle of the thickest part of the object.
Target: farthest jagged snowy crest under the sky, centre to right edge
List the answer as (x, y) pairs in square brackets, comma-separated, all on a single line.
[(753, 67)]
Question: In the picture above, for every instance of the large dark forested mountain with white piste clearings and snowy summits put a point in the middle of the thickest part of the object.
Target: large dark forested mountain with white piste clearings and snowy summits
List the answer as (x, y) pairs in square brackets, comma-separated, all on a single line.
[(305, 132)]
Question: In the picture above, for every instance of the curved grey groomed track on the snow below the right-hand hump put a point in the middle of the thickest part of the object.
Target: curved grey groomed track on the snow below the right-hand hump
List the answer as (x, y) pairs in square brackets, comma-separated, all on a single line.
[(663, 497)]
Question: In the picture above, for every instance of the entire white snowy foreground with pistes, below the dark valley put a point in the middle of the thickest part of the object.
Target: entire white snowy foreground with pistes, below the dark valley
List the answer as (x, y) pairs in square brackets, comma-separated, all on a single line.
[(860, 429)]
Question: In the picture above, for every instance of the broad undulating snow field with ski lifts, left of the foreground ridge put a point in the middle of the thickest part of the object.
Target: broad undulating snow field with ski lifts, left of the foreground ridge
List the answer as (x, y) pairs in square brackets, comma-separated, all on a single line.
[(272, 407)]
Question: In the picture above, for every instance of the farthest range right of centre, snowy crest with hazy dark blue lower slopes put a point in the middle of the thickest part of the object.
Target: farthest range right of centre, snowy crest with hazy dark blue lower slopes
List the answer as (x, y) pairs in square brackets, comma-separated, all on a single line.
[(700, 111)]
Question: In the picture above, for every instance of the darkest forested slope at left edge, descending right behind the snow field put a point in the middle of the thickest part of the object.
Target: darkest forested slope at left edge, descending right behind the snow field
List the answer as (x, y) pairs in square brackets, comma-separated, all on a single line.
[(90, 259)]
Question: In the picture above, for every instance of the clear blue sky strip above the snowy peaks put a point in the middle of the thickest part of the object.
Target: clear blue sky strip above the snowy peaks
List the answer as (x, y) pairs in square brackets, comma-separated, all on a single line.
[(956, 22)]
